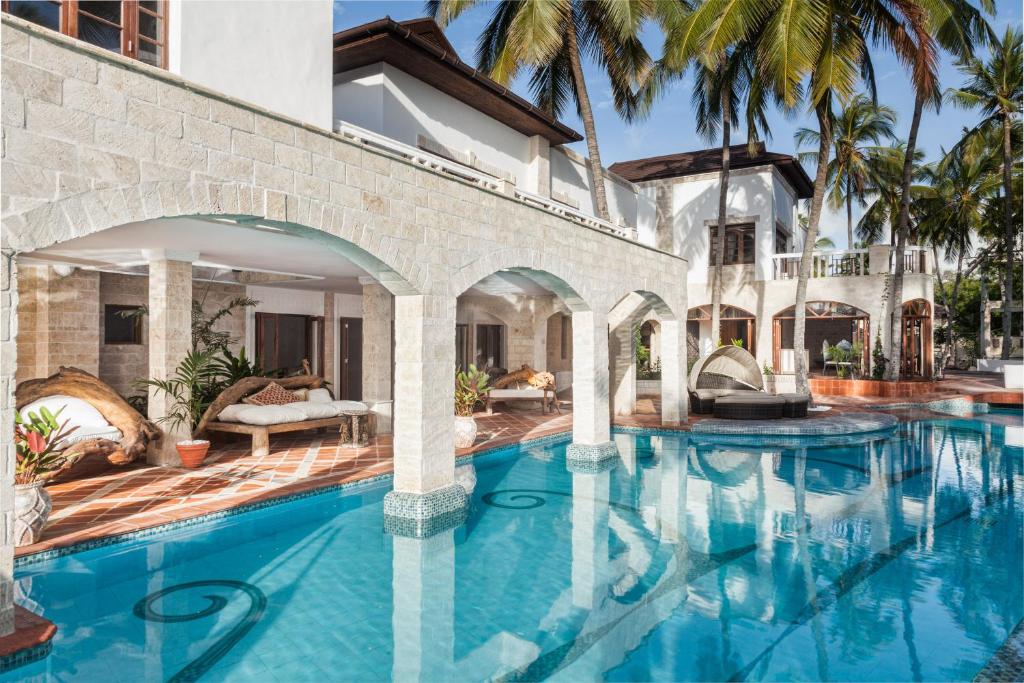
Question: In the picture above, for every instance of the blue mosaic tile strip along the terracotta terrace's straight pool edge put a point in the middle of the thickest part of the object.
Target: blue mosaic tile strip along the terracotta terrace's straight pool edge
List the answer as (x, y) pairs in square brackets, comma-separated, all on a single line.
[(130, 537)]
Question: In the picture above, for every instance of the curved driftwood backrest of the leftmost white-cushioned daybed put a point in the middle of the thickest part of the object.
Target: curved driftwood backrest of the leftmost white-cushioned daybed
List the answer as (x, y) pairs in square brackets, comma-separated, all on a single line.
[(137, 432)]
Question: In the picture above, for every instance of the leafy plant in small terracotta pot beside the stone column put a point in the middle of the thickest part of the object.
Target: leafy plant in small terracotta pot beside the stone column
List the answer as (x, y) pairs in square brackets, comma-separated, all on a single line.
[(190, 390)]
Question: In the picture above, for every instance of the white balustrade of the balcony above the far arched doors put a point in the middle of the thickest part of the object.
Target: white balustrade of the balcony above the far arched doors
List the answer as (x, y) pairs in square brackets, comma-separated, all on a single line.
[(876, 261)]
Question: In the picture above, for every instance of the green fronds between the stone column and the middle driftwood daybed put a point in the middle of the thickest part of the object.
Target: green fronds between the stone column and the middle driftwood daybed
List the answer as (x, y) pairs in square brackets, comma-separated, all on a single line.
[(199, 380)]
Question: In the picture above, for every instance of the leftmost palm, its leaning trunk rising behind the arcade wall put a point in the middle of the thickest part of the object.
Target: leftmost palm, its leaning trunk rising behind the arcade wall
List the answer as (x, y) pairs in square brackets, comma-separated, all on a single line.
[(550, 39)]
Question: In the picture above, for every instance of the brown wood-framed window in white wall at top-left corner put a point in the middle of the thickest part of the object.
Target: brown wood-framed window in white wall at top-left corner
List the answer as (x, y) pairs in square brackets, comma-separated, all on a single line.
[(137, 29)]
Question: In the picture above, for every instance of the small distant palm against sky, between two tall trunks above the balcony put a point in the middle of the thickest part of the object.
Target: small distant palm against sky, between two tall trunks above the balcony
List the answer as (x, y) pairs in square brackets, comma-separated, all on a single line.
[(858, 132)]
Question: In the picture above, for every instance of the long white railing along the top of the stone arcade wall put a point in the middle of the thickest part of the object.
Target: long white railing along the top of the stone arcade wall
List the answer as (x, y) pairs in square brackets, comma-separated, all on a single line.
[(438, 163)]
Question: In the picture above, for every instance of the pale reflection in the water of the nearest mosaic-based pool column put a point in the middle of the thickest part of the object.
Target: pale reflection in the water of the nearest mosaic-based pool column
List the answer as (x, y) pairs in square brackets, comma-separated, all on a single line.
[(423, 608)]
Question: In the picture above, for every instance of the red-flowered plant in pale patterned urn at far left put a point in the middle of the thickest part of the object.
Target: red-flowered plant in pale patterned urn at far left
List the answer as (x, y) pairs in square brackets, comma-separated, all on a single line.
[(36, 439)]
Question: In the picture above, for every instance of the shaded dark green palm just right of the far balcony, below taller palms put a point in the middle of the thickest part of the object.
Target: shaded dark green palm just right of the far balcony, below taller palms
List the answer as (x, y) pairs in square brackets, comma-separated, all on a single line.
[(952, 209)]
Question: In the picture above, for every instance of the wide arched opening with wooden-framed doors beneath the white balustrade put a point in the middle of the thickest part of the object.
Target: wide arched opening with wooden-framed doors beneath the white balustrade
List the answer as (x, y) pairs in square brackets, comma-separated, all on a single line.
[(828, 324)]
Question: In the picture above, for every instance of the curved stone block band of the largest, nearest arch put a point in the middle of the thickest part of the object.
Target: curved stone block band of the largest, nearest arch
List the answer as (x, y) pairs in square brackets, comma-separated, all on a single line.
[(342, 231)]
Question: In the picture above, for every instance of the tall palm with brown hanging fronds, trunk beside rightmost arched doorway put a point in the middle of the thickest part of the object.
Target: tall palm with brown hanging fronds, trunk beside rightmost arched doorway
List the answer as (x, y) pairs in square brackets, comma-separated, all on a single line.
[(956, 26)]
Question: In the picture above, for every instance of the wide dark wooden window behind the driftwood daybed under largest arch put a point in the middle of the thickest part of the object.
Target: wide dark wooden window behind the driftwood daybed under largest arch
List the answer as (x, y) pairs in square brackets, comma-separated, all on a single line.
[(285, 340)]
